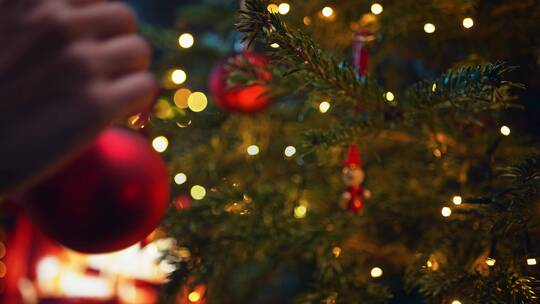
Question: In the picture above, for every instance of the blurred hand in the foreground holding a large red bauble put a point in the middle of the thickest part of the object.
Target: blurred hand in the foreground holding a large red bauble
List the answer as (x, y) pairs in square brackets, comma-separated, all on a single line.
[(68, 68)]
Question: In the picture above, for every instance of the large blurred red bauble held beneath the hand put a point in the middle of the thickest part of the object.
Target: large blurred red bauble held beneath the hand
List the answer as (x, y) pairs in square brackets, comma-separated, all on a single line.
[(110, 197)]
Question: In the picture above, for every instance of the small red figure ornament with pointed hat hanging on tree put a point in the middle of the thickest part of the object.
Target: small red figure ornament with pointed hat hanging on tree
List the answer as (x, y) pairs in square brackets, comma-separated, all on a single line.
[(353, 177)]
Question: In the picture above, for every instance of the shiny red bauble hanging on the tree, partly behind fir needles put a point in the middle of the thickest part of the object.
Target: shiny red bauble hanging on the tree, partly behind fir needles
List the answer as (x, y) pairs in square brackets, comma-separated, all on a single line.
[(243, 99)]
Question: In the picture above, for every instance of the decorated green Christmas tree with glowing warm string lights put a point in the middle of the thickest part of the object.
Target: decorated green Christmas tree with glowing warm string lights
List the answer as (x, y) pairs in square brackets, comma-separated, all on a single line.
[(348, 151)]
